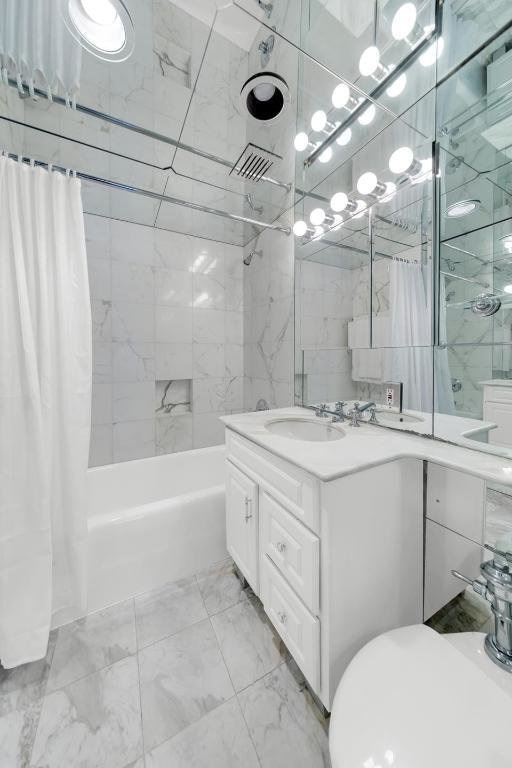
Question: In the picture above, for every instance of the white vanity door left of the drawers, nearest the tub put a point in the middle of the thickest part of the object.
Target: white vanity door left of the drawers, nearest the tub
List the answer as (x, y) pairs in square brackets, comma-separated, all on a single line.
[(242, 523)]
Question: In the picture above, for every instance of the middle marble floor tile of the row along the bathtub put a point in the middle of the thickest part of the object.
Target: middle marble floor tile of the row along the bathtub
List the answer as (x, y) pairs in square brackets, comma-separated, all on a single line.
[(167, 610)]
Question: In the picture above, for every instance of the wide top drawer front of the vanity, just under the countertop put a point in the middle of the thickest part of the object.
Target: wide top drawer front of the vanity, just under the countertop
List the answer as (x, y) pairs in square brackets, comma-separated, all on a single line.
[(290, 485)]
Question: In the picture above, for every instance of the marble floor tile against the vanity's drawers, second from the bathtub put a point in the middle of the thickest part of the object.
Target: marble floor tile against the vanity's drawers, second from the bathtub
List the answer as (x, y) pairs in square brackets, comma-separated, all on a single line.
[(249, 645)]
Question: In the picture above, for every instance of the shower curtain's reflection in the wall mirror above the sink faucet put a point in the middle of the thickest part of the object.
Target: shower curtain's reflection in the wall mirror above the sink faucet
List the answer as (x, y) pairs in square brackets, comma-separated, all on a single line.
[(411, 335)]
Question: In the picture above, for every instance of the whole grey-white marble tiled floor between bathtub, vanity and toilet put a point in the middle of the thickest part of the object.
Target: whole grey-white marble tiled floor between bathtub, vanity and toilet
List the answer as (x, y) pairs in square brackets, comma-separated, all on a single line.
[(188, 676)]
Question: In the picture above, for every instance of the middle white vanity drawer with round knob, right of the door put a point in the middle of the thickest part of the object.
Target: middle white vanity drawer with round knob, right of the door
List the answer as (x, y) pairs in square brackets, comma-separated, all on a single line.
[(293, 549)]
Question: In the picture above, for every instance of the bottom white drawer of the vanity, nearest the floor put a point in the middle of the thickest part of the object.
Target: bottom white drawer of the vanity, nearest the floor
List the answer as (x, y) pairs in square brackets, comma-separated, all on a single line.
[(299, 629)]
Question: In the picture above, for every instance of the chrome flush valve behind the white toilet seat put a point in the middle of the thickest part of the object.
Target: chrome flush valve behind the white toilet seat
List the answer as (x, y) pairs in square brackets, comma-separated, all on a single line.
[(497, 590)]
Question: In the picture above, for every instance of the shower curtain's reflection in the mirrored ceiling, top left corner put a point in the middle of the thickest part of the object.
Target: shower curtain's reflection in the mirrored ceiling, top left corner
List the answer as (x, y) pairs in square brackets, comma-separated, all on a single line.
[(37, 49)]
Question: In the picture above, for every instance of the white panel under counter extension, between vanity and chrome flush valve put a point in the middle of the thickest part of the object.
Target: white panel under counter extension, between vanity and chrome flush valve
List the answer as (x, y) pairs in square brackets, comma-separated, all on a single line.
[(454, 530)]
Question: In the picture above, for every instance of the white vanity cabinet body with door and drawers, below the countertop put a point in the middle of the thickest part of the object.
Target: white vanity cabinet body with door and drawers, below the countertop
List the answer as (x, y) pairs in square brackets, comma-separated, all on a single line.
[(334, 563)]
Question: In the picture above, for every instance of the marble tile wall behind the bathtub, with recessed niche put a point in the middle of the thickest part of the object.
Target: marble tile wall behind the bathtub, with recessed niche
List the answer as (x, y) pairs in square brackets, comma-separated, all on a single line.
[(167, 339)]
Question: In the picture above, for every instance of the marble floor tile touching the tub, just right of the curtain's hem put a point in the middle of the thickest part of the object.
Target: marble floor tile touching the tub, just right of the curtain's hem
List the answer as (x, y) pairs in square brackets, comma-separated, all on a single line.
[(89, 644)]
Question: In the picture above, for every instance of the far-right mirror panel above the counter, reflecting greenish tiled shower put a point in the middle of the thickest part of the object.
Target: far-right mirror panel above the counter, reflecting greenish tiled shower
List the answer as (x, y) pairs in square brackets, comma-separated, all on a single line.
[(475, 254)]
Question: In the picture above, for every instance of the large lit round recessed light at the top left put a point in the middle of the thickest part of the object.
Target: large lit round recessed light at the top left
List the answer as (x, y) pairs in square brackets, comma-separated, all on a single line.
[(102, 27)]
